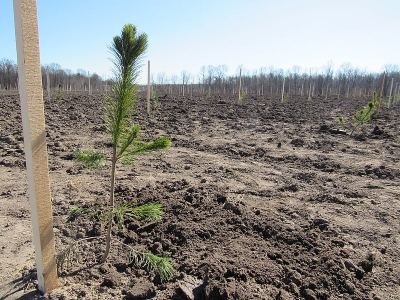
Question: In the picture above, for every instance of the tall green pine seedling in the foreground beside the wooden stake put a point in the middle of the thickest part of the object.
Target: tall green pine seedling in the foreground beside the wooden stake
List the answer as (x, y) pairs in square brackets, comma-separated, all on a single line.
[(127, 50)]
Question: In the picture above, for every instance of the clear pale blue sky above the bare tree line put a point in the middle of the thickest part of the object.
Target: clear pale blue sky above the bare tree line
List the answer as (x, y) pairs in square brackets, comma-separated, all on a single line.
[(186, 35)]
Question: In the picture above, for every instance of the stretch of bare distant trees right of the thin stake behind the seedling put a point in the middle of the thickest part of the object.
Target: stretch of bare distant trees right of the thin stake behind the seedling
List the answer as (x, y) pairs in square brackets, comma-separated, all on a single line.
[(346, 80)]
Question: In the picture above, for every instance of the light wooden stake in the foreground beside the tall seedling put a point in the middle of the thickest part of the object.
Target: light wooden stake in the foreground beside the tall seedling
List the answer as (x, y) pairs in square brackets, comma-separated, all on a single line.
[(32, 108)]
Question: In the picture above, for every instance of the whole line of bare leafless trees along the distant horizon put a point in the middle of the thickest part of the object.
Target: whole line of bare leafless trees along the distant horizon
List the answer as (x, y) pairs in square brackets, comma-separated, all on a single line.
[(346, 80)]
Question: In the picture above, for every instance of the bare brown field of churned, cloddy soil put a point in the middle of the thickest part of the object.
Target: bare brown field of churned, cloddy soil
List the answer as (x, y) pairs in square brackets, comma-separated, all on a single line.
[(262, 201)]
